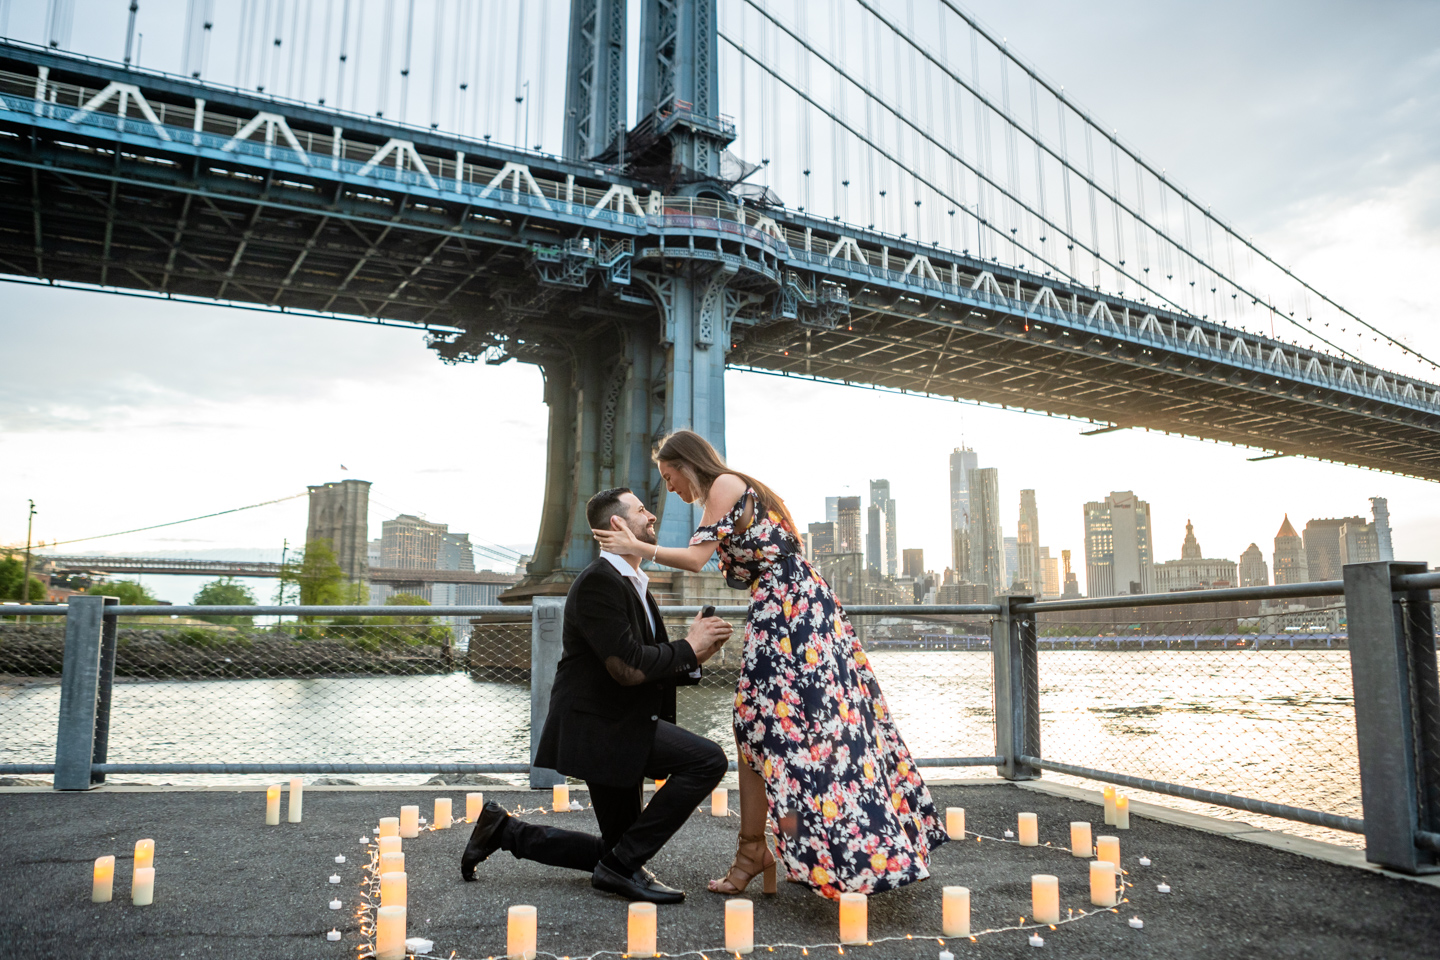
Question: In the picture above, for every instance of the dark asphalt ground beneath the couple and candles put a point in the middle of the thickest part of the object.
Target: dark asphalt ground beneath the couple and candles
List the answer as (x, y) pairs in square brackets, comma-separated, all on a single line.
[(231, 887)]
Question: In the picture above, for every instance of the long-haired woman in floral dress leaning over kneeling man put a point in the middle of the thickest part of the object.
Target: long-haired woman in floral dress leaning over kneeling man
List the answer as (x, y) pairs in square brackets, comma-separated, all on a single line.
[(820, 752)]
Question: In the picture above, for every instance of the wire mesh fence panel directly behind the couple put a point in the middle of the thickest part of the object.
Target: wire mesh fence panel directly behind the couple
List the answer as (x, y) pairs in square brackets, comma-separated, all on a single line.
[(935, 674)]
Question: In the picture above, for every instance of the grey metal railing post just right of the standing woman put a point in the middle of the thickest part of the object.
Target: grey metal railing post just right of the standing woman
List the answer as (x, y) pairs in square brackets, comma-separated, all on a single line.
[(1017, 690)]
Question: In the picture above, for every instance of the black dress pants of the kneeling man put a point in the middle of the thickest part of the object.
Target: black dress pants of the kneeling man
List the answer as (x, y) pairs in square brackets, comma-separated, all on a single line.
[(692, 768)]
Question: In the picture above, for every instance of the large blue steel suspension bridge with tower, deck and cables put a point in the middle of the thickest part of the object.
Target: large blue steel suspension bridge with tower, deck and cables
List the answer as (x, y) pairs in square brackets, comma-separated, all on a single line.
[(862, 192)]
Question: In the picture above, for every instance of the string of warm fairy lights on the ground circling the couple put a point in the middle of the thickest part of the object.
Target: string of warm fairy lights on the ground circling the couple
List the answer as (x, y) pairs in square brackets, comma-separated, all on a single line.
[(371, 902)]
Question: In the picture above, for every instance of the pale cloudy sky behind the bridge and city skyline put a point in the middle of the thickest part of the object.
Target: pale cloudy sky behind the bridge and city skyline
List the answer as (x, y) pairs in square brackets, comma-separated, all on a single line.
[(1315, 127)]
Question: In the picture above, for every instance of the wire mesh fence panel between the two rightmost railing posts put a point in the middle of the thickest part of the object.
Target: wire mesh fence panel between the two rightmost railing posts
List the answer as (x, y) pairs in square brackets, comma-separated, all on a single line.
[(1220, 703)]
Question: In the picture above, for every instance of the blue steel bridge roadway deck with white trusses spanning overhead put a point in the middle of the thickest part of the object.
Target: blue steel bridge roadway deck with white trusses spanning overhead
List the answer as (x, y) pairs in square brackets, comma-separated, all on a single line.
[(505, 254)]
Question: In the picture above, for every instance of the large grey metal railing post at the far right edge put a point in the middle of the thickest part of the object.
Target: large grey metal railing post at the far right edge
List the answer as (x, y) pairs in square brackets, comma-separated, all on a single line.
[(1390, 664)]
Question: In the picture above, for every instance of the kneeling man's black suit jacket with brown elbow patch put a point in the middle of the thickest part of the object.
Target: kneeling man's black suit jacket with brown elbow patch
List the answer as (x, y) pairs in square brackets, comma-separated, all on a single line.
[(616, 681)]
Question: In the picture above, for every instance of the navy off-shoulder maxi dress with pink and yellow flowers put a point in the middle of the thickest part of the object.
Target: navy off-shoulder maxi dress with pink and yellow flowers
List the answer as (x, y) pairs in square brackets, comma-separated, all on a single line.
[(852, 814)]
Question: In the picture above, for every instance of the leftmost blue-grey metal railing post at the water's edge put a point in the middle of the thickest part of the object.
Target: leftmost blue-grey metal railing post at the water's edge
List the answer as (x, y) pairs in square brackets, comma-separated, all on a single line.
[(80, 692)]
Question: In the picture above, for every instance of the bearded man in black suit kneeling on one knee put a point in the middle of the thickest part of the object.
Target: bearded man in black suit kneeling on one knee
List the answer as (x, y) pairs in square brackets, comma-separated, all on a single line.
[(613, 725)]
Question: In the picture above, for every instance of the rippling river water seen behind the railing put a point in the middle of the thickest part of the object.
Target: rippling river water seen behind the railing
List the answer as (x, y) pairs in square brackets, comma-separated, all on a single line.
[(1271, 725)]
